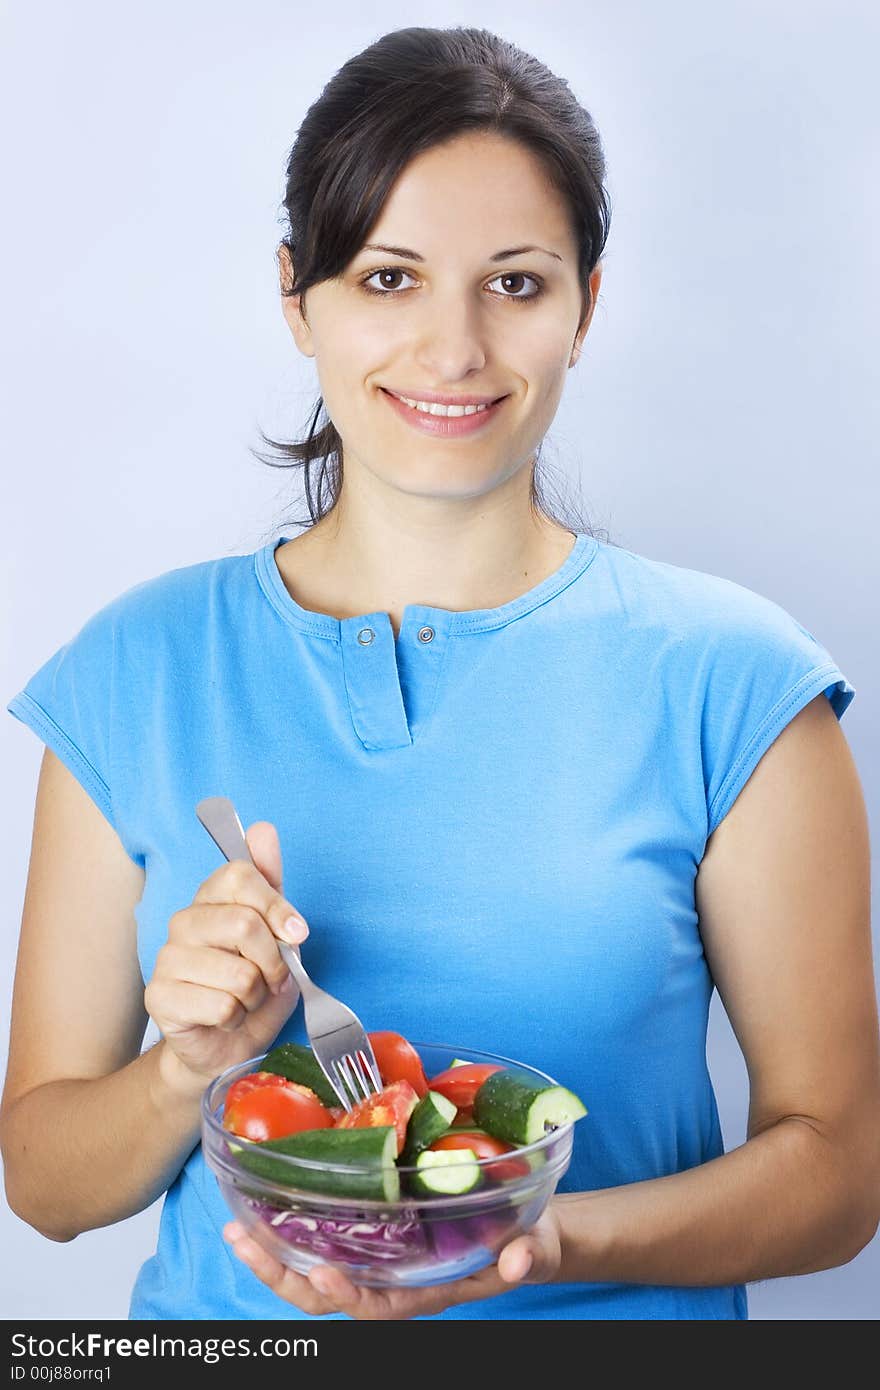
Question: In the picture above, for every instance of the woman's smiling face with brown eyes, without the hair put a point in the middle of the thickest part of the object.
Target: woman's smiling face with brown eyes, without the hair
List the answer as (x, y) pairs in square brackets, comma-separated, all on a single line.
[(448, 315)]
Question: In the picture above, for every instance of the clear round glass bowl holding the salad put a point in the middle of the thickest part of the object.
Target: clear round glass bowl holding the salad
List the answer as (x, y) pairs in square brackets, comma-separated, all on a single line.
[(412, 1242)]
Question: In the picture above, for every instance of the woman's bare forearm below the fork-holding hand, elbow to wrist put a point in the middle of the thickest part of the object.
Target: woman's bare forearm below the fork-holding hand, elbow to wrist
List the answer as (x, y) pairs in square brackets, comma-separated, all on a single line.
[(81, 1154)]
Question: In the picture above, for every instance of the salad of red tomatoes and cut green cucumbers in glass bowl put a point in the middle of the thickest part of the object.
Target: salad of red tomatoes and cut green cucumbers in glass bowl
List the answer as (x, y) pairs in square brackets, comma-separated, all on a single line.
[(419, 1138)]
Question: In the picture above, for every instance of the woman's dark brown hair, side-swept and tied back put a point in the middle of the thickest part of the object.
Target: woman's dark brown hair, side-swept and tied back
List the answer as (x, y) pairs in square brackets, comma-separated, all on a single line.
[(414, 90)]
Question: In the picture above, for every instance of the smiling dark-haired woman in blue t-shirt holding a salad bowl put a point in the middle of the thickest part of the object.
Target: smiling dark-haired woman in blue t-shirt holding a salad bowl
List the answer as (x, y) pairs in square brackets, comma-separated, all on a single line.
[(536, 793)]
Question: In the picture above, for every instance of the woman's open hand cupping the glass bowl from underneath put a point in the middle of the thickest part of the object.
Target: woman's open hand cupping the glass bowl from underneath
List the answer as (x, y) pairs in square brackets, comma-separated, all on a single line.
[(532, 1259)]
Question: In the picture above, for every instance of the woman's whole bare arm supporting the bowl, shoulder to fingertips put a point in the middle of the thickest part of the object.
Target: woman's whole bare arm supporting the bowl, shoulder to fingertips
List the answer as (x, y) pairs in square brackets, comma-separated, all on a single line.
[(783, 896)]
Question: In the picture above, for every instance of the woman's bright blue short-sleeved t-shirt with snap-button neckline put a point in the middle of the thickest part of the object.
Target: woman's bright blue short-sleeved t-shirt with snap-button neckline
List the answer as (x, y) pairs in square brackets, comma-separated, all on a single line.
[(491, 824)]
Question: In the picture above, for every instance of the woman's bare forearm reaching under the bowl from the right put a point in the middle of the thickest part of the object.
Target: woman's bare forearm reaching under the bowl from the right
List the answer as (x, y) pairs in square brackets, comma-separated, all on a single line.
[(785, 1203)]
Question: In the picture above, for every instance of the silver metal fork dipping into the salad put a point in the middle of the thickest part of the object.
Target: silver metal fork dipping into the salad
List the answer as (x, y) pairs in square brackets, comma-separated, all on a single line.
[(337, 1036)]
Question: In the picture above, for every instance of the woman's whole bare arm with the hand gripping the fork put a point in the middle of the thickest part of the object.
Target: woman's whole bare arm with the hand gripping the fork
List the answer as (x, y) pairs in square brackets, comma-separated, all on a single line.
[(91, 1129)]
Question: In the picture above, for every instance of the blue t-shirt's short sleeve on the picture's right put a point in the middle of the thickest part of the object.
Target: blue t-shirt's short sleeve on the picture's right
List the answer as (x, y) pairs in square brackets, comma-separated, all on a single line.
[(764, 668)]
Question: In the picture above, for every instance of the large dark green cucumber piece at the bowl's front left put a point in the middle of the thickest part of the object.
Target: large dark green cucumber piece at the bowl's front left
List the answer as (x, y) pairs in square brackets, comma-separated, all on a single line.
[(370, 1153)]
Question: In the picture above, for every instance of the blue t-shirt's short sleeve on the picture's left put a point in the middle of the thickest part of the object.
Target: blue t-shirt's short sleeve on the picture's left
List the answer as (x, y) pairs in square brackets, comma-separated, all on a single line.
[(69, 705)]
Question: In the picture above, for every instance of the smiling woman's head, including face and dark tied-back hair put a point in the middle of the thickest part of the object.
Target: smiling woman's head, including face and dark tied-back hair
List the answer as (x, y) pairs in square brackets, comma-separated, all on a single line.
[(473, 141)]
